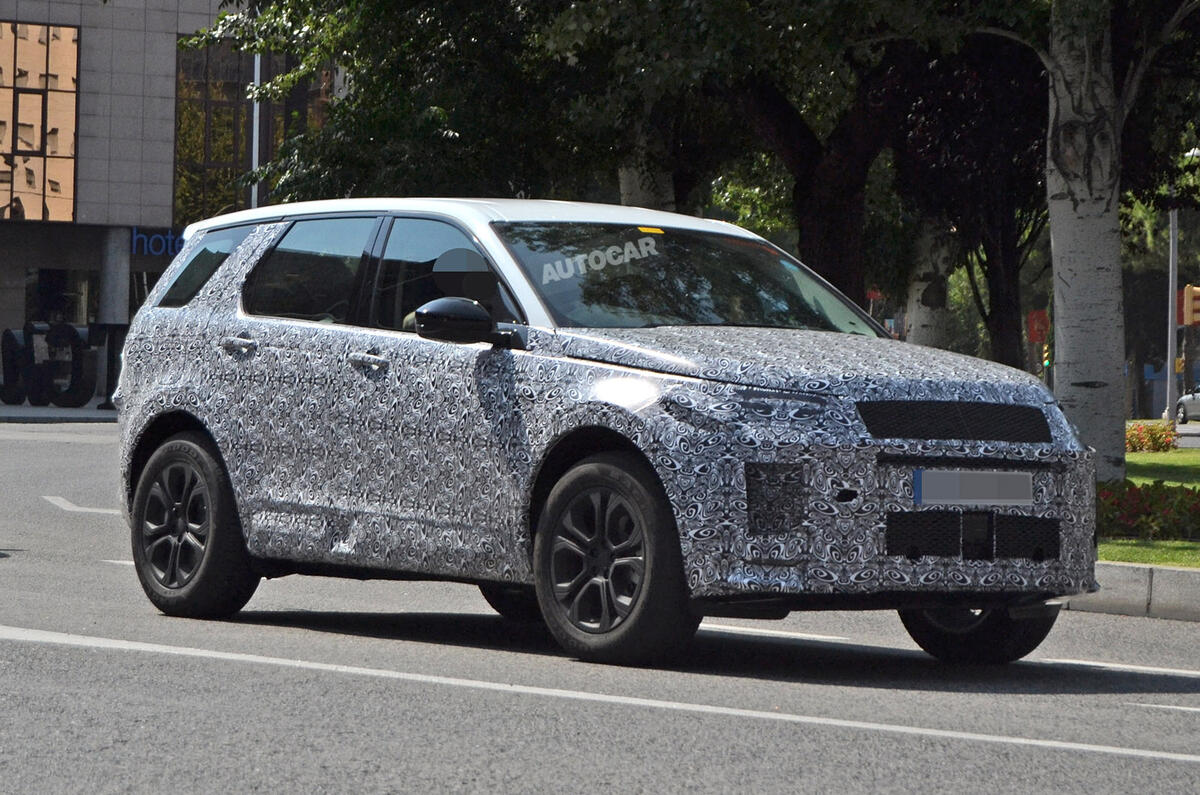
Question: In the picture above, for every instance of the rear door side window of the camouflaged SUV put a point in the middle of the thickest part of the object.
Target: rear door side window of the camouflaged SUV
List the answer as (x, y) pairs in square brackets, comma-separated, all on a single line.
[(313, 272)]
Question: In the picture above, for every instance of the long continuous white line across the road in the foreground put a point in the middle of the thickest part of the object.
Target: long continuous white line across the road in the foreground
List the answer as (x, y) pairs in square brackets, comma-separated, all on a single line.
[(64, 639)]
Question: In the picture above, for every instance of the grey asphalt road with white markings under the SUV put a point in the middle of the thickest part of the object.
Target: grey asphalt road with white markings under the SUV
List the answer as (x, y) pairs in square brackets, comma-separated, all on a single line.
[(323, 685)]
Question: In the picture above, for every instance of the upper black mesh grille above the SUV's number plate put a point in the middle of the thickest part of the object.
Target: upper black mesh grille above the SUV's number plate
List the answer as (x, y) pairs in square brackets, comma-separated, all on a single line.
[(951, 420)]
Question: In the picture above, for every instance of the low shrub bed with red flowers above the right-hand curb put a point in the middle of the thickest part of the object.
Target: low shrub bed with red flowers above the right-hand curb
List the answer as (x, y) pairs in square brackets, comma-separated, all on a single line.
[(1153, 512)]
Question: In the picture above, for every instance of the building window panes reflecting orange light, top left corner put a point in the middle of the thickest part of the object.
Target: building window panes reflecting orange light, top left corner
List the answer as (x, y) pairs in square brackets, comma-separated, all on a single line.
[(39, 93)]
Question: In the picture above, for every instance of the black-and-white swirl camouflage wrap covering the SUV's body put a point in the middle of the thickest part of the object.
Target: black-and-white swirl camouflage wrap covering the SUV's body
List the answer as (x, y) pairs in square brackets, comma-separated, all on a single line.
[(383, 451)]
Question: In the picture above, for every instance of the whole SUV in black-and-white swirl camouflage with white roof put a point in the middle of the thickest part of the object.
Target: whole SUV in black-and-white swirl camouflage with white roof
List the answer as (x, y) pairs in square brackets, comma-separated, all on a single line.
[(613, 420)]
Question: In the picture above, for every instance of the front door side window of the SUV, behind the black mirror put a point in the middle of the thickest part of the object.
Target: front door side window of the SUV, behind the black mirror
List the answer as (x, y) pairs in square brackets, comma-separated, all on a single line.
[(427, 260)]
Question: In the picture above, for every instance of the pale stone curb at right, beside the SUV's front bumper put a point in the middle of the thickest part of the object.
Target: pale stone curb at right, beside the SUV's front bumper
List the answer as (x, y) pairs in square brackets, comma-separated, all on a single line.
[(1138, 590)]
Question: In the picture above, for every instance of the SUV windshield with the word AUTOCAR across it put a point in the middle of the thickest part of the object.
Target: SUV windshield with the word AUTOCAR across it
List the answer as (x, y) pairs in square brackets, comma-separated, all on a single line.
[(607, 276)]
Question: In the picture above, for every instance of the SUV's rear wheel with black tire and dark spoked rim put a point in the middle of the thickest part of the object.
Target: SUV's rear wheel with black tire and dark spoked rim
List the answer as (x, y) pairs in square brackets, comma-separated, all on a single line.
[(188, 545)]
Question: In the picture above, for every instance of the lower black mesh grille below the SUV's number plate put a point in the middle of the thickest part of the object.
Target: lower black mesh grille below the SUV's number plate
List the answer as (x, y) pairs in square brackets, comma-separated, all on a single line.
[(973, 536)]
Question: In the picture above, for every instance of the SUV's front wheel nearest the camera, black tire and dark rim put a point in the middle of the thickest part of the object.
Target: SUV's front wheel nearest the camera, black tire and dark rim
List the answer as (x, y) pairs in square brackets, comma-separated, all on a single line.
[(608, 566)]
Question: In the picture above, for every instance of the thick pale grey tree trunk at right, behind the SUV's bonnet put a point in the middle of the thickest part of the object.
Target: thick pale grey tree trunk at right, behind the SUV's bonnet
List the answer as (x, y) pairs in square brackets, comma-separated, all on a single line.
[(1083, 187)]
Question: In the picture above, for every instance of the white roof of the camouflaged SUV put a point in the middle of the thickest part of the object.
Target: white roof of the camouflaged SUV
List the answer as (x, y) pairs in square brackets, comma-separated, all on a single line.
[(478, 212)]
